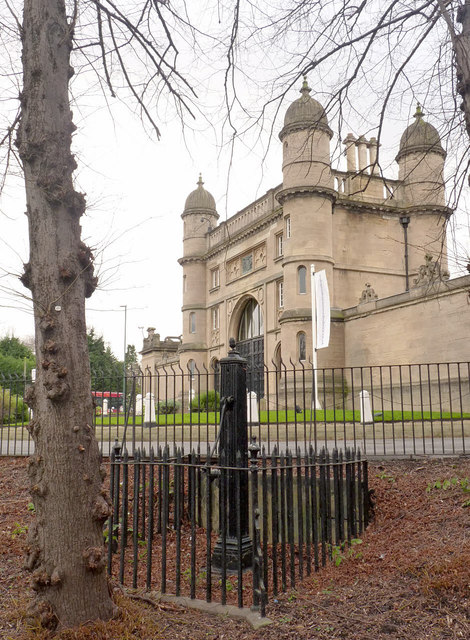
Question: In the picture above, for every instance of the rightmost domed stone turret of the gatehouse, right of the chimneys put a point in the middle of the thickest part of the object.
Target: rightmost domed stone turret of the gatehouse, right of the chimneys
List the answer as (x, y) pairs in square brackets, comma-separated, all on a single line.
[(420, 190)]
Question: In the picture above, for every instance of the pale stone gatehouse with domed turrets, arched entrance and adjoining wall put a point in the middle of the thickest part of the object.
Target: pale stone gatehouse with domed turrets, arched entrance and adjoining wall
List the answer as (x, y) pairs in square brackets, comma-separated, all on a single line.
[(382, 243)]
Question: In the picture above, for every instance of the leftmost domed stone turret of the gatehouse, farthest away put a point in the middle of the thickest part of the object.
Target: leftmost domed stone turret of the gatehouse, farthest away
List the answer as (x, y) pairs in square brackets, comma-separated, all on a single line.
[(199, 217)]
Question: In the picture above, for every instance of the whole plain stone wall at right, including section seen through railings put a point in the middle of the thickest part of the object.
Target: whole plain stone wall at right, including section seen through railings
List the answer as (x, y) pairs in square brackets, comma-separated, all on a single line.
[(429, 324)]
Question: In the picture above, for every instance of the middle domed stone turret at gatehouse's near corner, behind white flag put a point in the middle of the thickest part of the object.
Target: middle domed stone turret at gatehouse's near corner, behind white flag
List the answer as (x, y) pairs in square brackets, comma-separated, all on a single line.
[(307, 198)]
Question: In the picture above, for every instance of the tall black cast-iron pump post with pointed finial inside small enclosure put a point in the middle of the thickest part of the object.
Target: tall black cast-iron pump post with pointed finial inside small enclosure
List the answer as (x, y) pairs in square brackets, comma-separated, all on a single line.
[(233, 448)]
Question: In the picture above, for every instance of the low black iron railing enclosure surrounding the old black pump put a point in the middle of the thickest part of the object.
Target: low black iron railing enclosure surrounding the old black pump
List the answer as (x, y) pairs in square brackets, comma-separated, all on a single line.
[(190, 525)]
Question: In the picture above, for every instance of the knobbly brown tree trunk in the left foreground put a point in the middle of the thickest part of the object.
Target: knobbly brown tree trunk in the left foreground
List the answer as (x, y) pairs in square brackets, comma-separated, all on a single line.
[(66, 552)]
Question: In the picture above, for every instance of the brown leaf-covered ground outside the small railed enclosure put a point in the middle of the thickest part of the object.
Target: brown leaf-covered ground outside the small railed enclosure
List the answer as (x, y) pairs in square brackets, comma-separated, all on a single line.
[(408, 579)]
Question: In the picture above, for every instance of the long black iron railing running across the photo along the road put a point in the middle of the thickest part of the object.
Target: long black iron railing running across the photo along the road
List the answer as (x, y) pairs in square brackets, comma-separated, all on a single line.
[(386, 410)]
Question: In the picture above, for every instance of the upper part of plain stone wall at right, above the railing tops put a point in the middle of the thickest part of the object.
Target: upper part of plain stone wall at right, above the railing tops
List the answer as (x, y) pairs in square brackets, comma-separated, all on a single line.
[(427, 324)]
